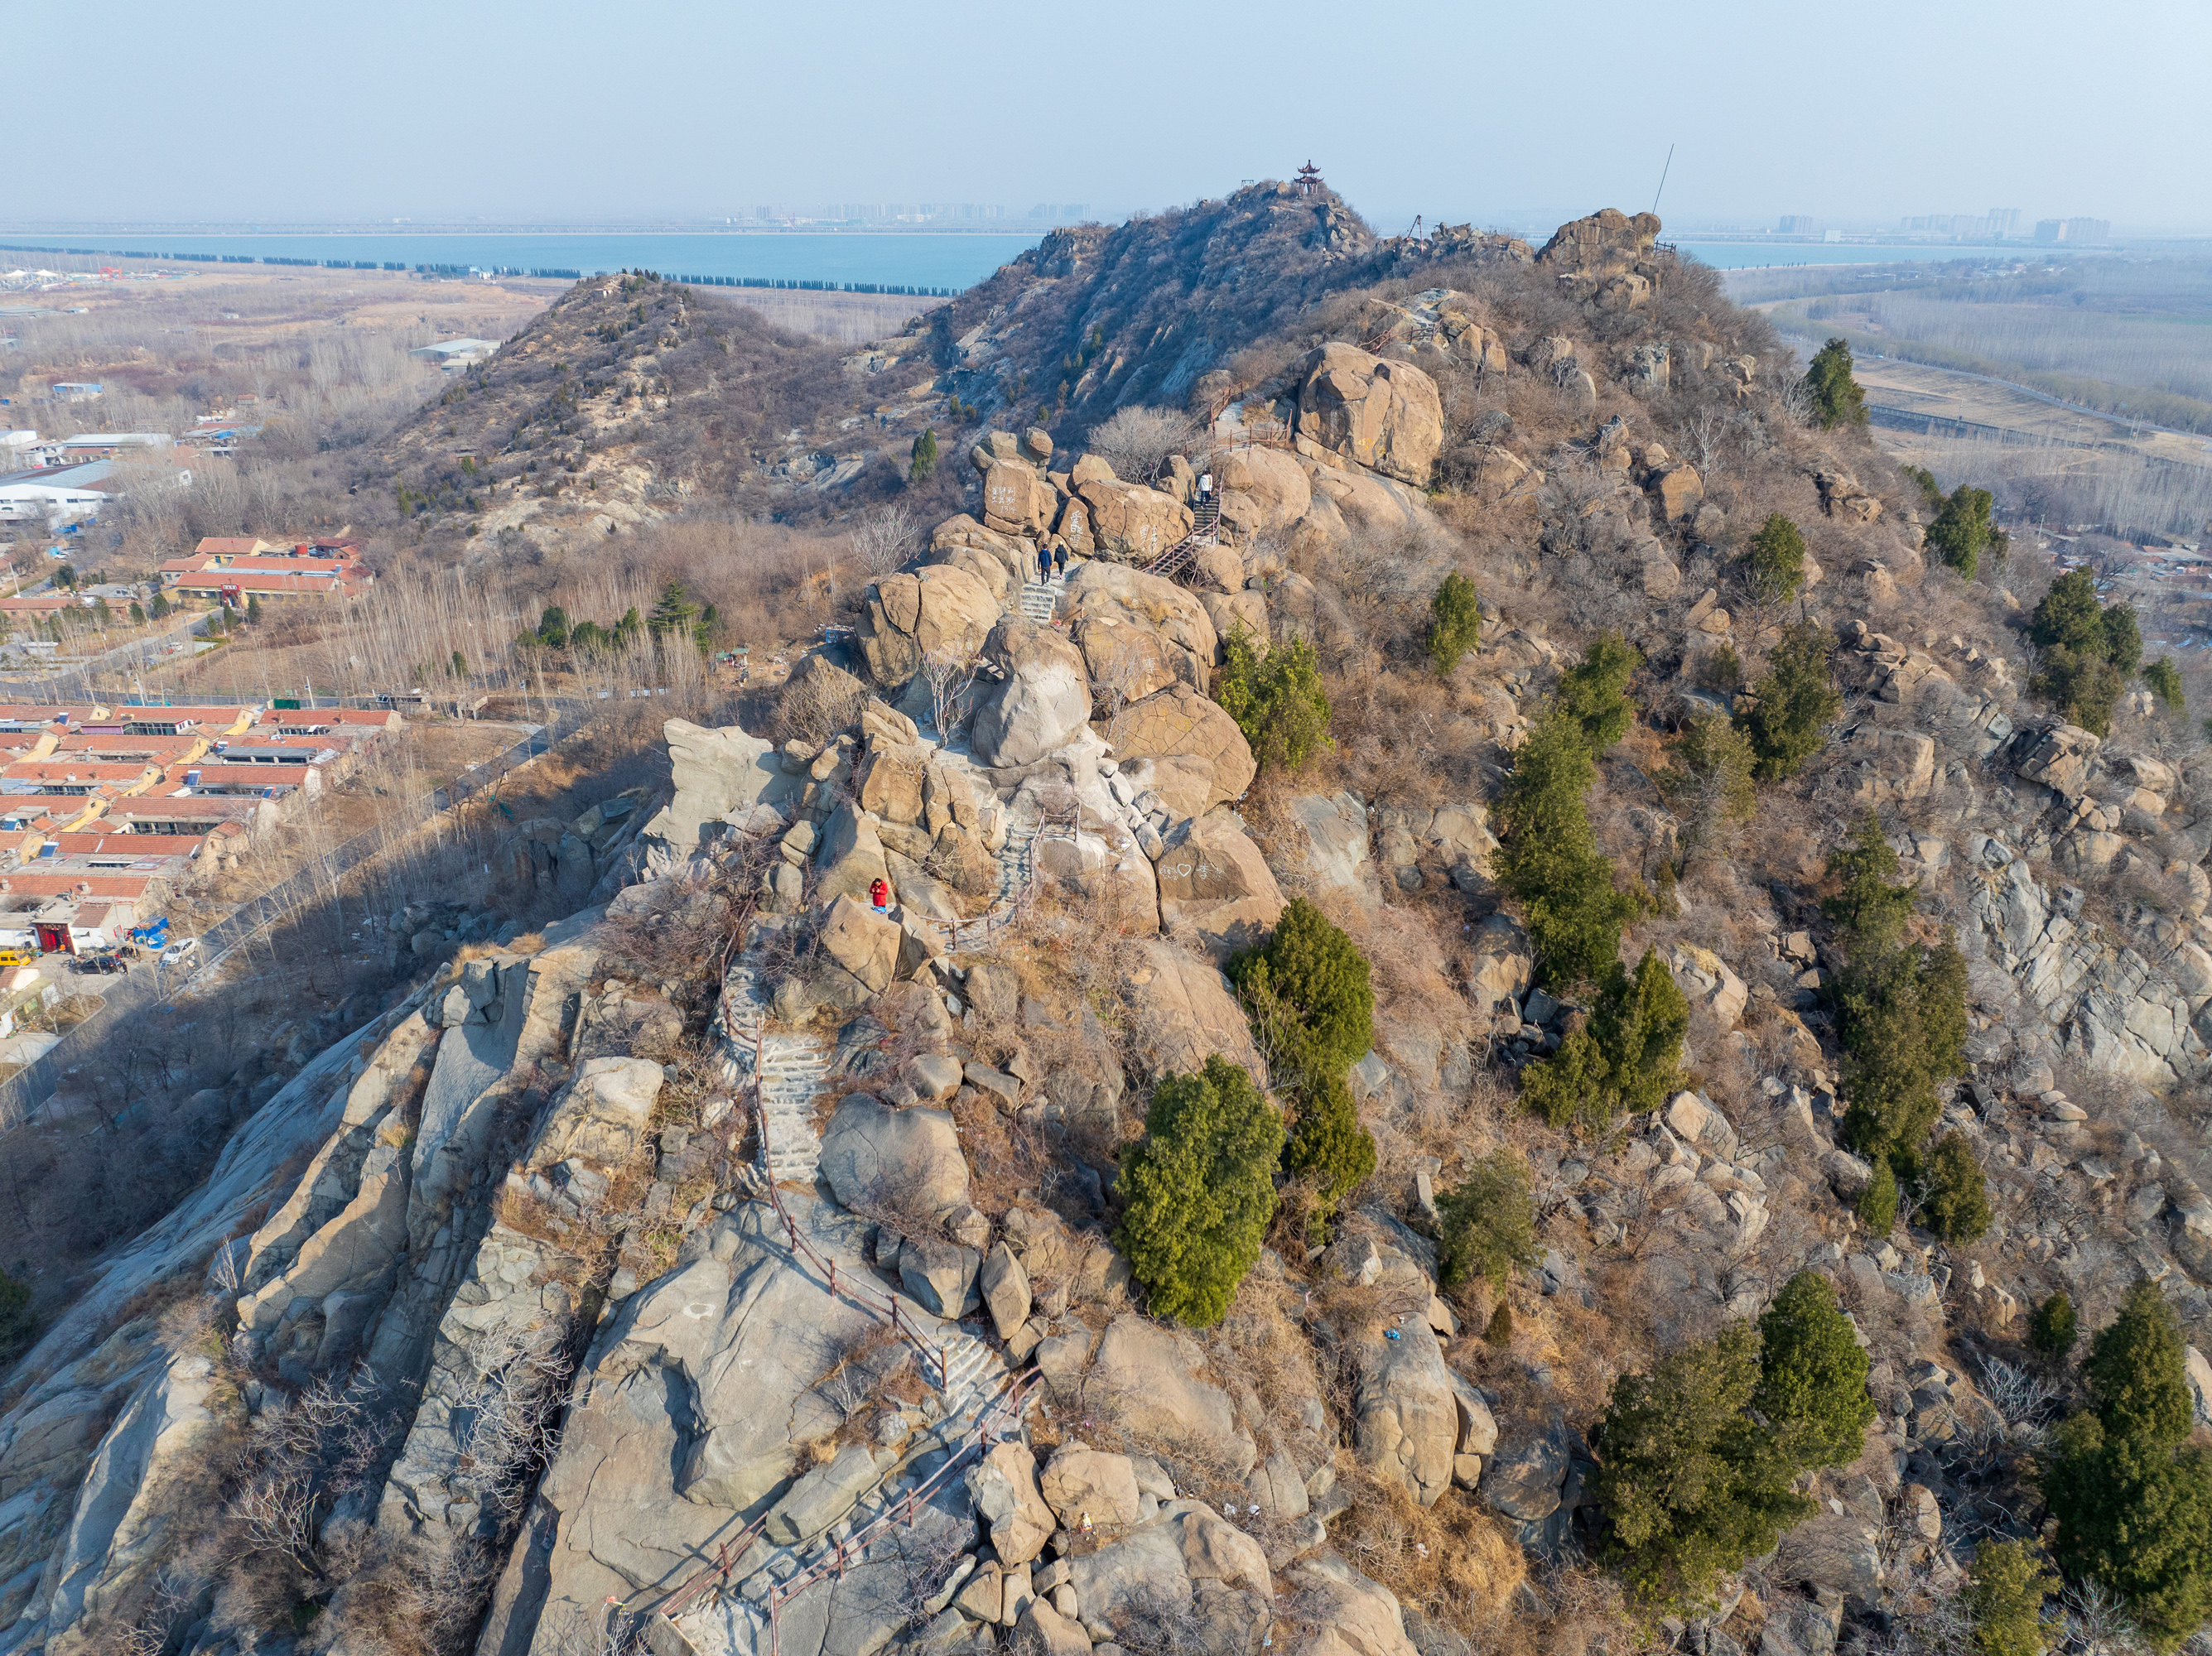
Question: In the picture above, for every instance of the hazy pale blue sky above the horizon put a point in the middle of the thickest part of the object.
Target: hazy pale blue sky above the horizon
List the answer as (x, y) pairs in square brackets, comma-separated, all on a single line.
[(1461, 112)]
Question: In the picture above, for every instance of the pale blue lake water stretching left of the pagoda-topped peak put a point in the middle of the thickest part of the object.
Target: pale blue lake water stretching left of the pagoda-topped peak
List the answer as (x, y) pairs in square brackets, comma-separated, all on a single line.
[(899, 260)]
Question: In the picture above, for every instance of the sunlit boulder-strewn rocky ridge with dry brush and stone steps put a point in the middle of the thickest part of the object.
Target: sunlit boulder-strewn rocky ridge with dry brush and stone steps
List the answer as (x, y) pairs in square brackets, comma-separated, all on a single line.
[(731, 1266)]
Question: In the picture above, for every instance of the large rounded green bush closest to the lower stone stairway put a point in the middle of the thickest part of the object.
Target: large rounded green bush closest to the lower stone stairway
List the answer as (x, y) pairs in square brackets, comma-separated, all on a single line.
[(1200, 1191)]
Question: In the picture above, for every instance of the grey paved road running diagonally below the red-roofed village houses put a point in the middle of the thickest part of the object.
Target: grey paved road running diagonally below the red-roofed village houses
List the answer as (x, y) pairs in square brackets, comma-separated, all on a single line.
[(152, 987)]
